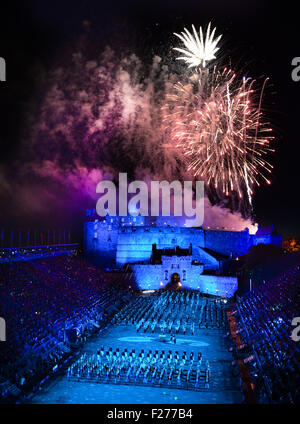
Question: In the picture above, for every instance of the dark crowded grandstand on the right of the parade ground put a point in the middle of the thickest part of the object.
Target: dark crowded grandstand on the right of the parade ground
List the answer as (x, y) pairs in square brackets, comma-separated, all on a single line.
[(264, 319)]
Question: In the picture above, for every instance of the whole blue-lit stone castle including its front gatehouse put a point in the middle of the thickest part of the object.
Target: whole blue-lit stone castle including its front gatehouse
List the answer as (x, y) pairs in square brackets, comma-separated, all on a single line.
[(160, 252)]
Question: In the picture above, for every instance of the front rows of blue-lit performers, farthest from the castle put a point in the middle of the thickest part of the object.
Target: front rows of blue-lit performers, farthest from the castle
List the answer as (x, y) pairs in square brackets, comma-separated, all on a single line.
[(159, 368)]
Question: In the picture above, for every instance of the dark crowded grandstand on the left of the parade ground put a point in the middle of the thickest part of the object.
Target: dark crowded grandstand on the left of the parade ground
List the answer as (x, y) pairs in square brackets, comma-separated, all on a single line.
[(39, 301)]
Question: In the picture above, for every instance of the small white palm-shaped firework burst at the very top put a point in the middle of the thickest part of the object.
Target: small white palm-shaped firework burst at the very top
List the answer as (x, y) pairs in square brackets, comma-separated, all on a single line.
[(197, 51)]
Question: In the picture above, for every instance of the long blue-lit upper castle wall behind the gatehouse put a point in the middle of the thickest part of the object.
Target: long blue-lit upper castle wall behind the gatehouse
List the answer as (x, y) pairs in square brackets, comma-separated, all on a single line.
[(119, 245)]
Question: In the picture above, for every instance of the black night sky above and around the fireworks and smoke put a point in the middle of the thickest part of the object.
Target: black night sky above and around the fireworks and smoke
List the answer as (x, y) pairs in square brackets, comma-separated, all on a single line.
[(263, 38)]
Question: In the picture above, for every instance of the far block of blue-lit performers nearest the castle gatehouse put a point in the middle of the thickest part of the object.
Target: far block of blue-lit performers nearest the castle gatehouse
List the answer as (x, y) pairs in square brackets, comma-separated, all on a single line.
[(177, 312)]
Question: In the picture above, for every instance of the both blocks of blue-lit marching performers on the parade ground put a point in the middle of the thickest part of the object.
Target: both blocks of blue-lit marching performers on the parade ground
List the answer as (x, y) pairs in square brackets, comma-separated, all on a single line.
[(168, 313)]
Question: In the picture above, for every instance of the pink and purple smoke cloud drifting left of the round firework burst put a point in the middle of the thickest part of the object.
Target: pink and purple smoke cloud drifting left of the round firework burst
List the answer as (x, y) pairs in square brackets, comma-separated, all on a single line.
[(97, 118)]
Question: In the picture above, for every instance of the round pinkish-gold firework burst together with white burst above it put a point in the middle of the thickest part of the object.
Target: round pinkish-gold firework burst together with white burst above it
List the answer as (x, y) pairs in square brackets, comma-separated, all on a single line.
[(215, 120)]
